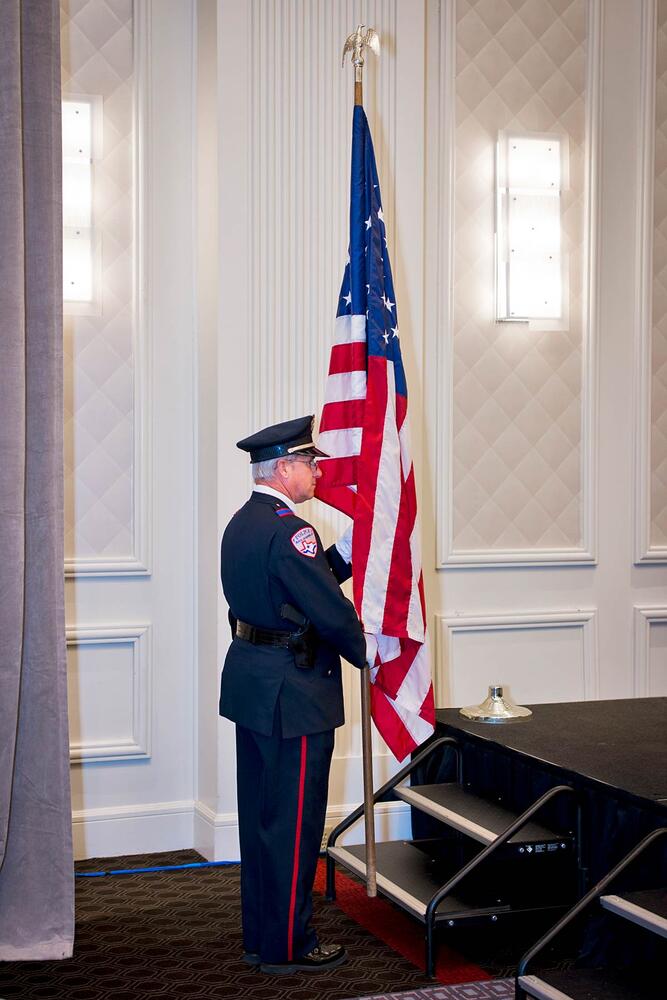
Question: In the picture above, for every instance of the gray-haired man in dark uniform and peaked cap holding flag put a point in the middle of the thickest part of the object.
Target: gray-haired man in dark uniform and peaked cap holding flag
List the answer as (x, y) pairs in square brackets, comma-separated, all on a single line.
[(281, 685)]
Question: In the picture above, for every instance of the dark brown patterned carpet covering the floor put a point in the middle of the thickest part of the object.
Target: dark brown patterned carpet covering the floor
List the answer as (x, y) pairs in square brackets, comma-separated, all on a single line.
[(177, 934)]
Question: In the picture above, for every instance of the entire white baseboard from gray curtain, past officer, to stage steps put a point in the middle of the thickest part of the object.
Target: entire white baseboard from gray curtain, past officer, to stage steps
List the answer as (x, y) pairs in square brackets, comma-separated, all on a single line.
[(174, 826)]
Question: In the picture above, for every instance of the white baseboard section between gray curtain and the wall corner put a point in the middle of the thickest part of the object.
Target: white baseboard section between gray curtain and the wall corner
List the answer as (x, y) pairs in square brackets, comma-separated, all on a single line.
[(138, 829)]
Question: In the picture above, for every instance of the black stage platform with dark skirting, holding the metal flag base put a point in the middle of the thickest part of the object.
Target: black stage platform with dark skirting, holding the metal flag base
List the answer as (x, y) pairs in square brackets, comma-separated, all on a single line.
[(613, 753)]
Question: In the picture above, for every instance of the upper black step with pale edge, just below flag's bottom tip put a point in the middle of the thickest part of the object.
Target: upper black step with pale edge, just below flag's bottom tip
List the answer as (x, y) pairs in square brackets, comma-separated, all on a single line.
[(478, 818)]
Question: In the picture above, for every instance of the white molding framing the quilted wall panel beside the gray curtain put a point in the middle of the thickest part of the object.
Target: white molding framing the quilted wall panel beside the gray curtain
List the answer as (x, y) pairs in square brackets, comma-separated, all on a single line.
[(137, 563)]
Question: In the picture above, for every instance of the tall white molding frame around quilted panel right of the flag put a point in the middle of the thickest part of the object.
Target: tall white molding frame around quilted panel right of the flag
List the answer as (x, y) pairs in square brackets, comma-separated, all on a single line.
[(447, 556)]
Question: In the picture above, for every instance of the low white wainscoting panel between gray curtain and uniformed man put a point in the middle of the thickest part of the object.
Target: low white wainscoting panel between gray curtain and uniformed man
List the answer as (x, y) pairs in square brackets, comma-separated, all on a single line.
[(109, 691)]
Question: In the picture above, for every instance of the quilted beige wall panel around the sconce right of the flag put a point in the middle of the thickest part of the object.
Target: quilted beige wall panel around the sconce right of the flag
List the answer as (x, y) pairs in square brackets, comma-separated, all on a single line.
[(516, 392)]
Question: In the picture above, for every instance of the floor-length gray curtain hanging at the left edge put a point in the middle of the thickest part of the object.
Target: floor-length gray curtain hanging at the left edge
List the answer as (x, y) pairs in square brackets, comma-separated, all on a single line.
[(36, 871)]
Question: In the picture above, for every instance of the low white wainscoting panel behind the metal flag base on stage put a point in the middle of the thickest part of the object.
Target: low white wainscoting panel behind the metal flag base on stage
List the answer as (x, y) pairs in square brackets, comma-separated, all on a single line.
[(538, 657)]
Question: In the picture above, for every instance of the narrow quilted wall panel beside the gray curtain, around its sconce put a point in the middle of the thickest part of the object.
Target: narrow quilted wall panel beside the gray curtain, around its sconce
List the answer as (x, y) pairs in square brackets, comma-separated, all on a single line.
[(96, 38)]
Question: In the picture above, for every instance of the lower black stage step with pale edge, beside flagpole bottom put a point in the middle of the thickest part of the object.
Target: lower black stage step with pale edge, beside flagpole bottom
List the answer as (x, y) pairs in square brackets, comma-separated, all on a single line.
[(410, 874)]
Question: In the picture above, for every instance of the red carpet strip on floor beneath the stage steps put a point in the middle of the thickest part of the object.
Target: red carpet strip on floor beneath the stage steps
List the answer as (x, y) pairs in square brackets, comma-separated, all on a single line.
[(396, 929)]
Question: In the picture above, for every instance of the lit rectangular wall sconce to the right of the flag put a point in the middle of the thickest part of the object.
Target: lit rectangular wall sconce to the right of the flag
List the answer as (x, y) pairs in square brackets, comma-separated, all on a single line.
[(531, 269)]
